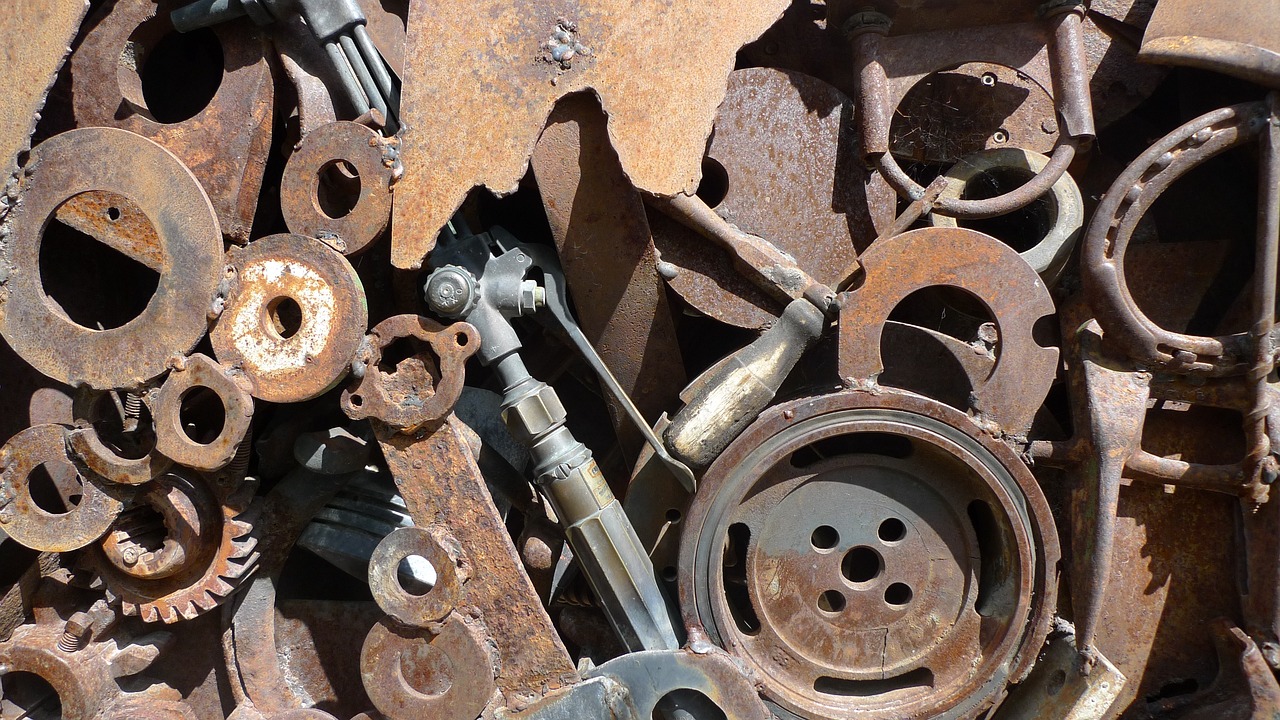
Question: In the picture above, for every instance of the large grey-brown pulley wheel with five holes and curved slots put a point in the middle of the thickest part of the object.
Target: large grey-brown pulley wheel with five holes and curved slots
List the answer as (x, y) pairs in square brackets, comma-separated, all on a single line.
[(871, 555)]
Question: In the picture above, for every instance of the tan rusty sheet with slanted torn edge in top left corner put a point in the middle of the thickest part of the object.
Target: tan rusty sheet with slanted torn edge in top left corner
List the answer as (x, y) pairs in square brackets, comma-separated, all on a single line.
[(35, 37)]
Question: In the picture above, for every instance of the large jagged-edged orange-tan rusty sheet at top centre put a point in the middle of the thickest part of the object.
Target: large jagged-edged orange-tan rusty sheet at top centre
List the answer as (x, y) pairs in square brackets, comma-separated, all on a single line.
[(478, 94)]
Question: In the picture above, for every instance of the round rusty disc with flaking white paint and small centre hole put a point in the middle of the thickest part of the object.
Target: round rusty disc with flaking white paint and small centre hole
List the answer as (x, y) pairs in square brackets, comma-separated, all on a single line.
[(295, 318)]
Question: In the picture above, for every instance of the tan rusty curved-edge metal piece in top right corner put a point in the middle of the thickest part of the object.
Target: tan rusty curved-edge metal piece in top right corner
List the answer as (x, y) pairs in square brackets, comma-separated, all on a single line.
[(1238, 39)]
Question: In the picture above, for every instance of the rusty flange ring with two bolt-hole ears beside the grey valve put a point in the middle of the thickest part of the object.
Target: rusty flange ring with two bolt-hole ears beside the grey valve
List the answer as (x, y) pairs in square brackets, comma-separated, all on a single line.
[(413, 395)]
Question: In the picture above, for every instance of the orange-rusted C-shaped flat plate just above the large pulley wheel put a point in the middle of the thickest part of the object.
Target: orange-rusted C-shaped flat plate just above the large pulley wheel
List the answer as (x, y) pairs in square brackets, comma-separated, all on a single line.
[(981, 266)]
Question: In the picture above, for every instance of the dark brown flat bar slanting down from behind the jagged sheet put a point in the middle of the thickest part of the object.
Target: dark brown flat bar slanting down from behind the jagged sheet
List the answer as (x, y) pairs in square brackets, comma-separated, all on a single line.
[(605, 244)]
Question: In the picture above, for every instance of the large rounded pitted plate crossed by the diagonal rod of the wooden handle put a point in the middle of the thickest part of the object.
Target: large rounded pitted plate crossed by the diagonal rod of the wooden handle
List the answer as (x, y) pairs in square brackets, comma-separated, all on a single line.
[(778, 167)]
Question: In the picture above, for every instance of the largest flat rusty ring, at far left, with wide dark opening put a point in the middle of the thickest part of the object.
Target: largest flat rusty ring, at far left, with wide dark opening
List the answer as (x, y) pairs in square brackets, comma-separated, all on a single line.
[(190, 259)]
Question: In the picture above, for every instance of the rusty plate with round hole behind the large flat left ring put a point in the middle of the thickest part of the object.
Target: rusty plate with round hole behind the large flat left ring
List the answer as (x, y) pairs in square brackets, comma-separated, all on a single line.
[(226, 143)]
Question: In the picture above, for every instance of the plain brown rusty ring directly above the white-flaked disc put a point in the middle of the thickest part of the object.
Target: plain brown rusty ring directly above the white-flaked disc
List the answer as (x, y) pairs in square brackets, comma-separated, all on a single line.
[(328, 149)]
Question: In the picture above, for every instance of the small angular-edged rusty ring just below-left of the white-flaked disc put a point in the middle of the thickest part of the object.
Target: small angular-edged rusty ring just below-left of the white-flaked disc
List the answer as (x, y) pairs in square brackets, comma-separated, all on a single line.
[(172, 440)]
